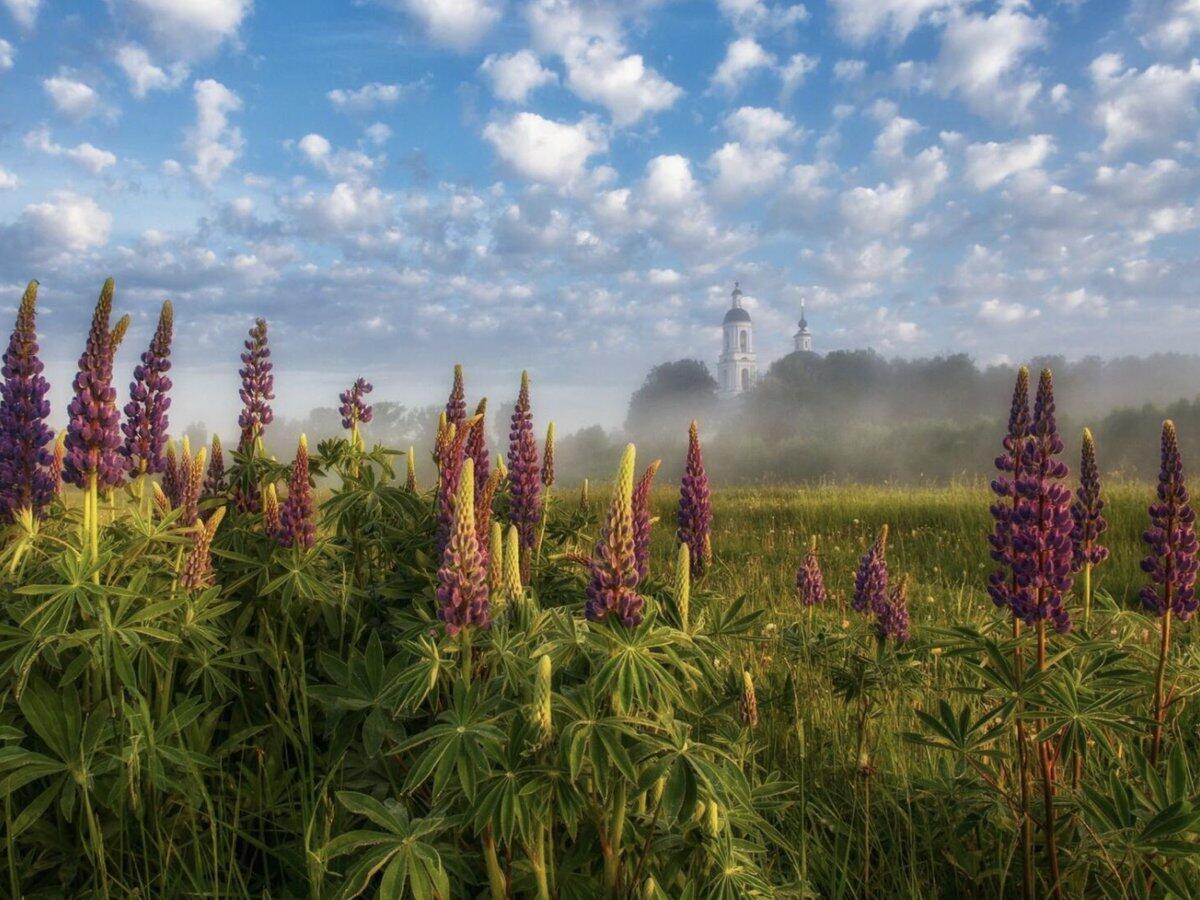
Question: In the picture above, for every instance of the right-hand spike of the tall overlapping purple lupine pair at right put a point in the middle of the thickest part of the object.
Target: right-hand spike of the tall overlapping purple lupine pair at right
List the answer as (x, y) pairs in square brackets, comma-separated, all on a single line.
[(1042, 550)]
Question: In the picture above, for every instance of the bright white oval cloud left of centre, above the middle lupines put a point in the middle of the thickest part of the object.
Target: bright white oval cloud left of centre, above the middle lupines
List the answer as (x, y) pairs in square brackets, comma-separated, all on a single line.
[(547, 152)]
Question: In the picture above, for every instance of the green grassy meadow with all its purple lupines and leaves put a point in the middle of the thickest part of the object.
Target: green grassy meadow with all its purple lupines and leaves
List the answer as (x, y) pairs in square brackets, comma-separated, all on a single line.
[(224, 675)]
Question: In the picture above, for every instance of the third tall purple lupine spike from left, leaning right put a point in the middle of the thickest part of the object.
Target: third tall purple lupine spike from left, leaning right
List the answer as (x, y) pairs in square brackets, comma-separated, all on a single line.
[(146, 415)]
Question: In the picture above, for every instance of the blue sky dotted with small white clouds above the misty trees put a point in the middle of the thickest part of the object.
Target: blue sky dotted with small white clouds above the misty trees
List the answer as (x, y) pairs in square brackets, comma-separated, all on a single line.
[(573, 187)]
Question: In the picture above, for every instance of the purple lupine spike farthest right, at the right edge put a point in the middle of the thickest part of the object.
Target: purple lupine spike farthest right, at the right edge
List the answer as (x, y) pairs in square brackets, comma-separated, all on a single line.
[(1172, 538)]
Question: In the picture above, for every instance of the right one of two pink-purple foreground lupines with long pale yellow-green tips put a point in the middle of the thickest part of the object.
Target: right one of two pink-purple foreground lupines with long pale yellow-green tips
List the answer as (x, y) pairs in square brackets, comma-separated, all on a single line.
[(613, 587)]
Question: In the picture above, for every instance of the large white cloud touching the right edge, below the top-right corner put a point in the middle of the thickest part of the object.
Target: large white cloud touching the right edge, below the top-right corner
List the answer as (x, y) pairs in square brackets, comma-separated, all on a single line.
[(1143, 107)]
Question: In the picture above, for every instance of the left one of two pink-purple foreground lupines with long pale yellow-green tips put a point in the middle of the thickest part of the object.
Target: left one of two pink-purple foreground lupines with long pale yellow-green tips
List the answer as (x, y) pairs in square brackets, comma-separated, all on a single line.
[(463, 579)]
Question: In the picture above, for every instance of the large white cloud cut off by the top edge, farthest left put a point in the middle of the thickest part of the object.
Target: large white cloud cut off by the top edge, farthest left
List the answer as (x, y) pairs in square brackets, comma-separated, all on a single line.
[(188, 29)]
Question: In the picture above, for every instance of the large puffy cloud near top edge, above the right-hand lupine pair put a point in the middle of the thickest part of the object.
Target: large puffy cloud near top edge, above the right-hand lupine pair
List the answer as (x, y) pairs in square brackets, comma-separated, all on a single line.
[(982, 58)]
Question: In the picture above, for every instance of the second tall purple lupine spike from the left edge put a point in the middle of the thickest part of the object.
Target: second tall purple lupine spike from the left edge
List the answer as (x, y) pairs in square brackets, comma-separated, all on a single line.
[(94, 434)]
